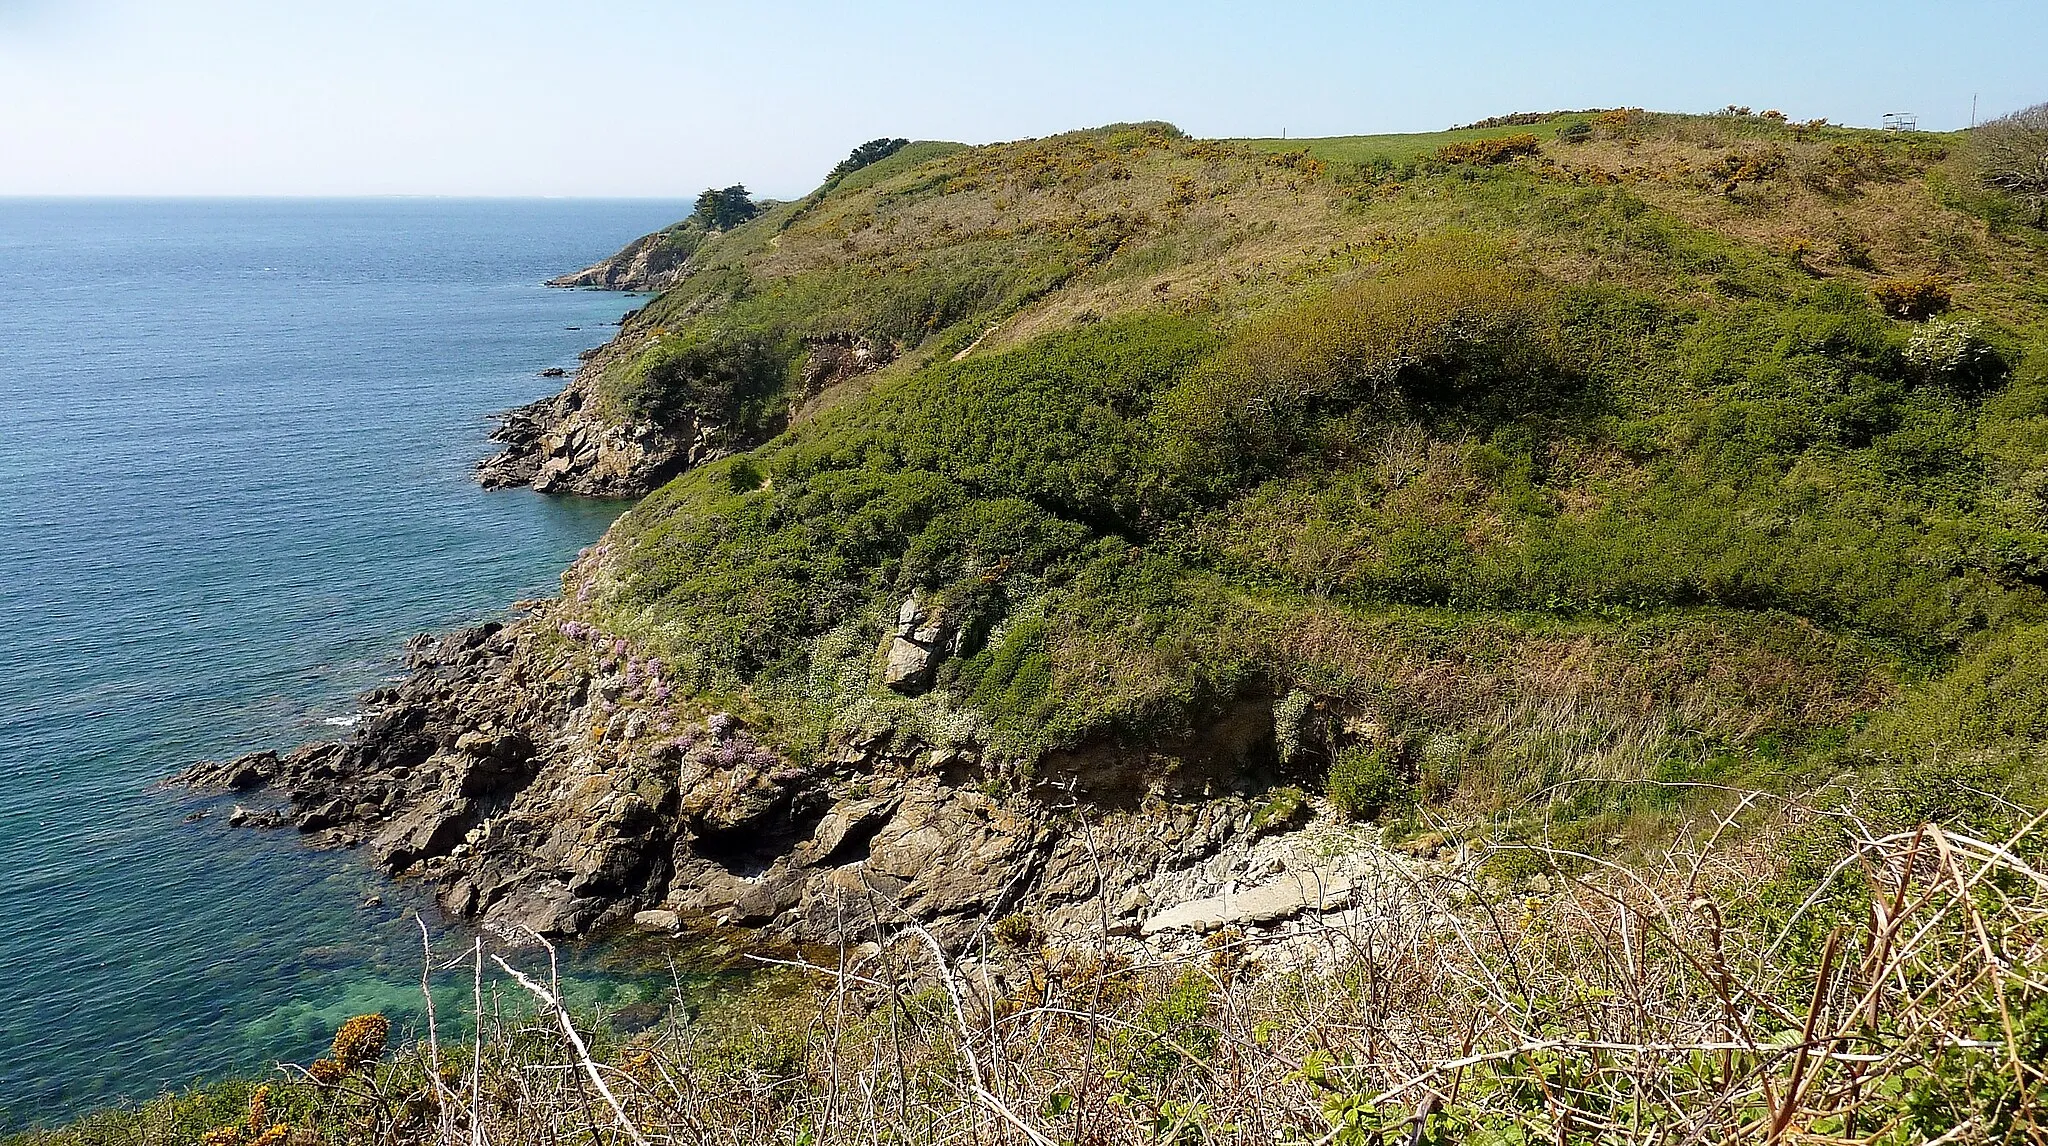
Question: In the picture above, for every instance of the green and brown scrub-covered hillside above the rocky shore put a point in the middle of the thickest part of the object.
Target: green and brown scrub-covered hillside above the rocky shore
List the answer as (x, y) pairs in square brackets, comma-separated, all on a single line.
[(1603, 447)]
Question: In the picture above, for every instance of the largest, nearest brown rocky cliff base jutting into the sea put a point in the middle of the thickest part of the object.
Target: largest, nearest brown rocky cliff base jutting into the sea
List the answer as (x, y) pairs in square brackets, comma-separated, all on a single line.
[(542, 777)]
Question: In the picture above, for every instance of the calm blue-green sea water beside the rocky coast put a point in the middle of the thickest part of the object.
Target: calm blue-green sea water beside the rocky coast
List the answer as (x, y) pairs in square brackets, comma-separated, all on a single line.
[(234, 478)]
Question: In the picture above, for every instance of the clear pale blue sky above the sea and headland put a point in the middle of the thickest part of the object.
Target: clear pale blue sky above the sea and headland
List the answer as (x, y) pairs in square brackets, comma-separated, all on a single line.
[(658, 99)]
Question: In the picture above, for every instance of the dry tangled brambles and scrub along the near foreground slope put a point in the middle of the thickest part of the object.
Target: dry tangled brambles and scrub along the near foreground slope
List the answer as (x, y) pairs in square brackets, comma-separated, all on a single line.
[(1801, 979)]
